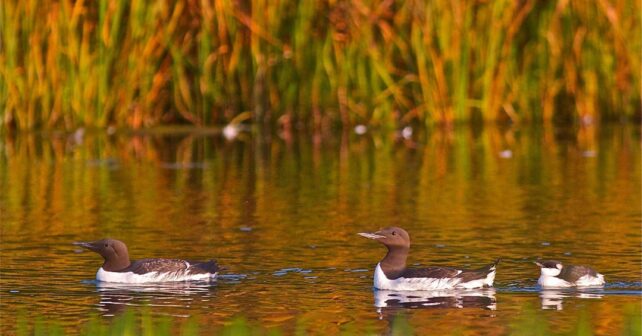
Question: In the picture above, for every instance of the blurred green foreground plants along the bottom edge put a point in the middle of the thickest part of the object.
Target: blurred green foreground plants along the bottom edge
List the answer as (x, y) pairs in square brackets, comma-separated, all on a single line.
[(142, 322)]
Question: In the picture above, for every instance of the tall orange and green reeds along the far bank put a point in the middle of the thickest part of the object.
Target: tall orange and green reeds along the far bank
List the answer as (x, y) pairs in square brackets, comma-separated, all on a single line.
[(138, 63)]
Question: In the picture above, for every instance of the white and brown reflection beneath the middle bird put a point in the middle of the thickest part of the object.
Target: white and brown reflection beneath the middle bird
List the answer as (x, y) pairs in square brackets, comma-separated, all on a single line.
[(388, 301)]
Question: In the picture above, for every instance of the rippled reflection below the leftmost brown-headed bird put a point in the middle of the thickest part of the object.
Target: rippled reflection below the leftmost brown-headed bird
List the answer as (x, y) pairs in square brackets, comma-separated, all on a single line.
[(115, 297)]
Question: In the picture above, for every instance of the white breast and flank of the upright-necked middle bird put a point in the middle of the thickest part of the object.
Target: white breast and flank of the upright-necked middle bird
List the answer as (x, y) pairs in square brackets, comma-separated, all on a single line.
[(414, 284)]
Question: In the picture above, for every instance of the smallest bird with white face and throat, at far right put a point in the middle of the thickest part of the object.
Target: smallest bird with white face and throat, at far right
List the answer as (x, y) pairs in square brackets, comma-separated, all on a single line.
[(555, 274)]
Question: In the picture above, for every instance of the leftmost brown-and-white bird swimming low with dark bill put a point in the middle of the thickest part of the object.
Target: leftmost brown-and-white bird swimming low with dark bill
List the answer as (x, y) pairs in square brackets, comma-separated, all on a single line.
[(118, 268)]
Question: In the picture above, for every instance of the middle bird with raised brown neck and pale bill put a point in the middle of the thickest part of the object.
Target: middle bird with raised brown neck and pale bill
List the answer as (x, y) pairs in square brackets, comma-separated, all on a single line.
[(391, 272)]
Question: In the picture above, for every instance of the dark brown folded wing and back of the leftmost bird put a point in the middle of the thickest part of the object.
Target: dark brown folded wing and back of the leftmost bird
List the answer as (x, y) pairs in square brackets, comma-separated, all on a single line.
[(172, 265)]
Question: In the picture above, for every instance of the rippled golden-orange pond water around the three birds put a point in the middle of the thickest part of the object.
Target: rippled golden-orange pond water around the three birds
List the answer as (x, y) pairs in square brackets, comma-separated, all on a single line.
[(281, 213)]
